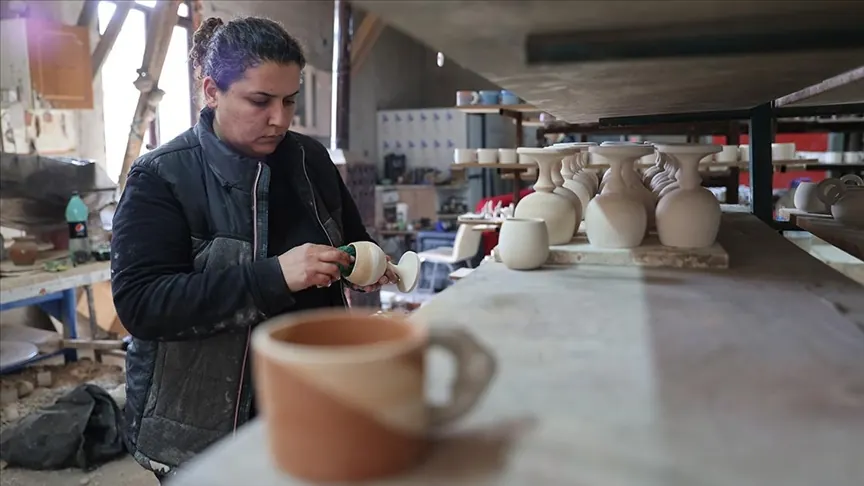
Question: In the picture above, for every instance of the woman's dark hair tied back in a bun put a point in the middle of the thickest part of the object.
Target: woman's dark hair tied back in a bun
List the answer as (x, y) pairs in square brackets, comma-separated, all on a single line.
[(224, 51)]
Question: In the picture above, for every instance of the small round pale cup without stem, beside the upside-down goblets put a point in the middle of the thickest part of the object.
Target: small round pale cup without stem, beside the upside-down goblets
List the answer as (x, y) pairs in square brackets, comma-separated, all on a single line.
[(523, 244)]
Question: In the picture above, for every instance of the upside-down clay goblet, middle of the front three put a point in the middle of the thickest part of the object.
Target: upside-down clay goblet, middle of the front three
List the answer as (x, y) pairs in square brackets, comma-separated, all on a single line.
[(616, 218)]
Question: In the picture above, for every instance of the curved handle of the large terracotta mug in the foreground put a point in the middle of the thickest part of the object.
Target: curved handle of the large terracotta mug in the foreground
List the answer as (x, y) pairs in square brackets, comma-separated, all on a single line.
[(475, 368)]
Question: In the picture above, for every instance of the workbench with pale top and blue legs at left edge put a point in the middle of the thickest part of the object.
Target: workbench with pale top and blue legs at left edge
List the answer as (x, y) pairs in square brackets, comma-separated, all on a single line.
[(55, 293)]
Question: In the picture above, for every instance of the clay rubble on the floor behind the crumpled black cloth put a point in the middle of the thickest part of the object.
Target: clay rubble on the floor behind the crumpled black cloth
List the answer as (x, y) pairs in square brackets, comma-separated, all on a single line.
[(40, 386)]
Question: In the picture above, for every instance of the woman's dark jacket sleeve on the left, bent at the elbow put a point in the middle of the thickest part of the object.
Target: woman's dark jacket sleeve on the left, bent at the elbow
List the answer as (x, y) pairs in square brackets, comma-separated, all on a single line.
[(157, 293)]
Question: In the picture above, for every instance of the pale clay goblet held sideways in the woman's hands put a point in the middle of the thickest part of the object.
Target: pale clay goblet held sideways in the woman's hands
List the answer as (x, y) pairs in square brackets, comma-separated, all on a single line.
[(370, 263)]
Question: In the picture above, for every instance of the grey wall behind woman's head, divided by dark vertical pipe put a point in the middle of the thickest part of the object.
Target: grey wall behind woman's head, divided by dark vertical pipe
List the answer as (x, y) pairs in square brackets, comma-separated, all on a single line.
[(399, 73)]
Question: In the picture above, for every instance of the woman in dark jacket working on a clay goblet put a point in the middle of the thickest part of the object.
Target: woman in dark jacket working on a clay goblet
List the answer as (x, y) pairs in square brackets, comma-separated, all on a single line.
[(230, 223)]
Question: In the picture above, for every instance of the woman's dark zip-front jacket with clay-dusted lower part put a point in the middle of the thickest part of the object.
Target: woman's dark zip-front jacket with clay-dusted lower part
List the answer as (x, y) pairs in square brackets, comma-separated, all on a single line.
[(191, 278)]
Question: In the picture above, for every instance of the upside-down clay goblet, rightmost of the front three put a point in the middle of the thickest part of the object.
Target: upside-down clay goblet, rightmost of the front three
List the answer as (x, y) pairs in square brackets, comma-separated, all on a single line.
[(689, 216)]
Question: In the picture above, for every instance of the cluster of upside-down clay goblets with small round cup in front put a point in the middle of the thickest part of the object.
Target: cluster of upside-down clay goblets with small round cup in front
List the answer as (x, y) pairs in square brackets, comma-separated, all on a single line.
[(620, 208)]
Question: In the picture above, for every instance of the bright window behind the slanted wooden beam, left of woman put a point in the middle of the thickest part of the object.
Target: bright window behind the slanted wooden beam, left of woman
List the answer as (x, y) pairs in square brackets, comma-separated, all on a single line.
[(120, 69)]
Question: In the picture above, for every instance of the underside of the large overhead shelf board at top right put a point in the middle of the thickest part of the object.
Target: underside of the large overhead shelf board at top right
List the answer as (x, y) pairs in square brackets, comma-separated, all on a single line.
[(489, 38)]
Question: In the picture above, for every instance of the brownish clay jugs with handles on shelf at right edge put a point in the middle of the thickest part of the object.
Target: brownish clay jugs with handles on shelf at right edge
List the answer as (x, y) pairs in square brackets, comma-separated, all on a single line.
[(843, 198)]
